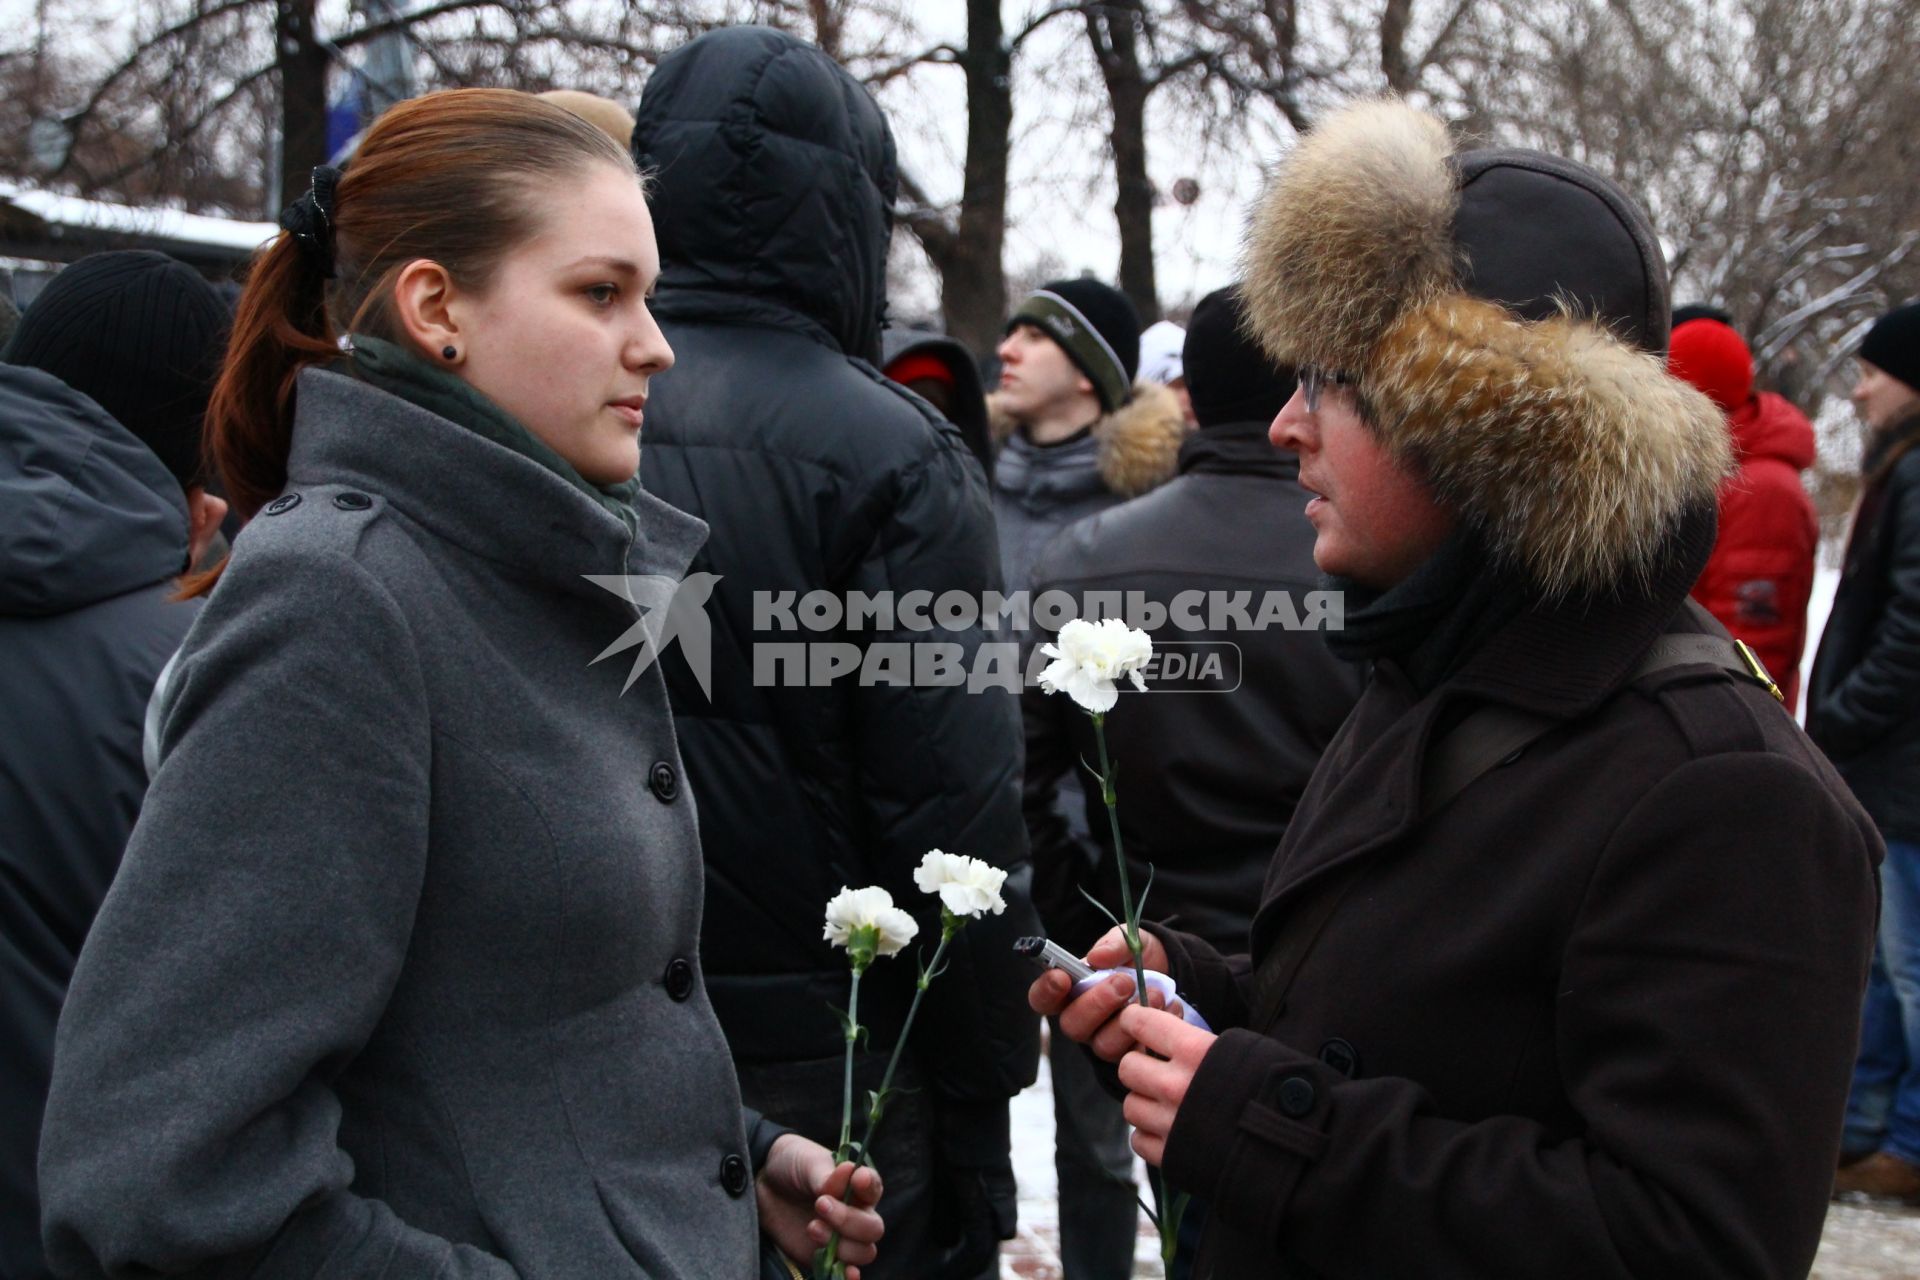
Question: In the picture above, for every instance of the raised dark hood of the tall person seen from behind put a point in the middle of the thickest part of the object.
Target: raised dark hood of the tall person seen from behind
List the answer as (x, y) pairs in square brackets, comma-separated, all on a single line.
[(775, 178)]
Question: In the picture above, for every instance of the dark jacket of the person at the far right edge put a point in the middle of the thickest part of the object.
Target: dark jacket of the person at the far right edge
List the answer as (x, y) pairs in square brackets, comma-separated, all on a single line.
[(1863, 705)]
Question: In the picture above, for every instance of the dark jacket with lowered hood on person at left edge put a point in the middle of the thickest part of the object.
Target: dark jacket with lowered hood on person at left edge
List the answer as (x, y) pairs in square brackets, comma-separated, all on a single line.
[(93, 531)]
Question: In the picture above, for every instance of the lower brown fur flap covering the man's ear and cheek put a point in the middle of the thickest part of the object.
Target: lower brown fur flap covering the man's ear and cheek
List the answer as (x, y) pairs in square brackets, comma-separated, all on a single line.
[(1570, 450)]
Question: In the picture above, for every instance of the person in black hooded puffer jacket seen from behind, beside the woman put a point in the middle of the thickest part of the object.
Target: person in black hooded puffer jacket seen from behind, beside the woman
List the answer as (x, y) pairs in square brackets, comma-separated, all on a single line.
[(775, 185)]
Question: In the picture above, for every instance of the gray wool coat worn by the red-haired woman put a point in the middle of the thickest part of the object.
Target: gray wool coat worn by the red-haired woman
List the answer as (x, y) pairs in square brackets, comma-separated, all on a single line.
[(400, 972)]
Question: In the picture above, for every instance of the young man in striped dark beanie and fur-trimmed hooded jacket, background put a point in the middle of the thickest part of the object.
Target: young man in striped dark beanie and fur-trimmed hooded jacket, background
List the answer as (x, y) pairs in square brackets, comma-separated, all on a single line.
[(1078, 431)]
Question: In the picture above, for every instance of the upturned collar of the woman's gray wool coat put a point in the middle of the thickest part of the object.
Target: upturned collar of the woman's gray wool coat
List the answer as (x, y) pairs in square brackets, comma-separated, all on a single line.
[(475, 494)]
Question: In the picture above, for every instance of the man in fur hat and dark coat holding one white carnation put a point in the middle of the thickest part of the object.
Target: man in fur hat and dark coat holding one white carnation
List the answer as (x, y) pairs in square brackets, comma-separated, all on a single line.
[(1558, 968)]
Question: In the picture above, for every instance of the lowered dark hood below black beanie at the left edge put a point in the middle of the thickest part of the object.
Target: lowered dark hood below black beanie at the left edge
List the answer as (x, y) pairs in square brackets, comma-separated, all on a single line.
[(87, 511)]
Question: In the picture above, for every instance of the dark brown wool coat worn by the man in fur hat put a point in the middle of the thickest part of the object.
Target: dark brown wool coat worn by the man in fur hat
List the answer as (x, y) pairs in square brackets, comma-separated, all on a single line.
[(1593, 1020)]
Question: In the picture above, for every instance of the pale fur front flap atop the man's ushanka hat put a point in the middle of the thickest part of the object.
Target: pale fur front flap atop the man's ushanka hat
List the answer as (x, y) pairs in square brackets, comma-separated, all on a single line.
[(1355, 229)]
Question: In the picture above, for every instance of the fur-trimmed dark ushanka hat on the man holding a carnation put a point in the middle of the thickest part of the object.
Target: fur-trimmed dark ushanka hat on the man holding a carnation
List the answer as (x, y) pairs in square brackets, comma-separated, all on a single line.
[(1504, 318)]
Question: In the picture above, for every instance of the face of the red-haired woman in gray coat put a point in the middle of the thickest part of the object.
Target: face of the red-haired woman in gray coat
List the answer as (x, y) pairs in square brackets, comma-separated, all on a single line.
[(562, 337)]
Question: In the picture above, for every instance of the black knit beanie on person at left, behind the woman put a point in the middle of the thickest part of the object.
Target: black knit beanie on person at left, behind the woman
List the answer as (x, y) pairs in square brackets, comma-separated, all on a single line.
[(139, 335)]
